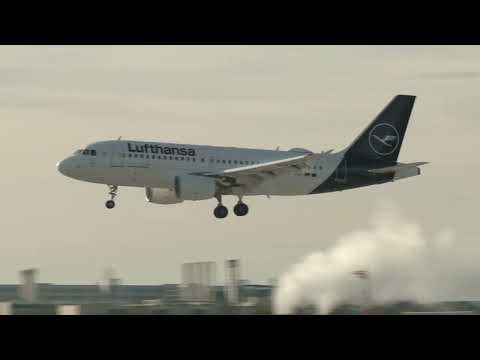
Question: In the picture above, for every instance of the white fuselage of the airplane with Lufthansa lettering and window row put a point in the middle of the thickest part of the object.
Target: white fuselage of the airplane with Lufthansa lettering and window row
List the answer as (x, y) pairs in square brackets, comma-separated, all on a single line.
[(155, 165)]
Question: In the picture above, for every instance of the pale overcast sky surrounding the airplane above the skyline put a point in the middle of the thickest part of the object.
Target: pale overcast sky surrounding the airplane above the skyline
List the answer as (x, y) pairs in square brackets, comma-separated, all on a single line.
[(56, 99)]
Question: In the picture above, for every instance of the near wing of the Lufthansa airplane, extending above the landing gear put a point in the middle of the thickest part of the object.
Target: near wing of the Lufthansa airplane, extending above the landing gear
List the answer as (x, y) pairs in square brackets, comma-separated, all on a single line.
[(258, 172)]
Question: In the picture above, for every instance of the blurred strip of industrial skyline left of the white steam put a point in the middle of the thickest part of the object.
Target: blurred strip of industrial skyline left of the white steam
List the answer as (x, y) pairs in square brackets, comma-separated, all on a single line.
[(197, 294)]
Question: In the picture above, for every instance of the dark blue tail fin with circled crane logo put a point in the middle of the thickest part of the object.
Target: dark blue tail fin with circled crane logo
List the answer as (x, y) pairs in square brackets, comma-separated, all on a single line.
[(381, 141)]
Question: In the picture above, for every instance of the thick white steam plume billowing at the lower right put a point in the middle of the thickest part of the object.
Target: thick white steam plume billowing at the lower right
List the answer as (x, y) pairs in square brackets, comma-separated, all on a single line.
[(403, 264)]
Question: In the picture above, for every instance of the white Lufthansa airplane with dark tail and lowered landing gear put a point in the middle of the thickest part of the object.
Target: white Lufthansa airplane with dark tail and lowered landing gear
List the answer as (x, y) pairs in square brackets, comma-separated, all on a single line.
[(174, 173)]
